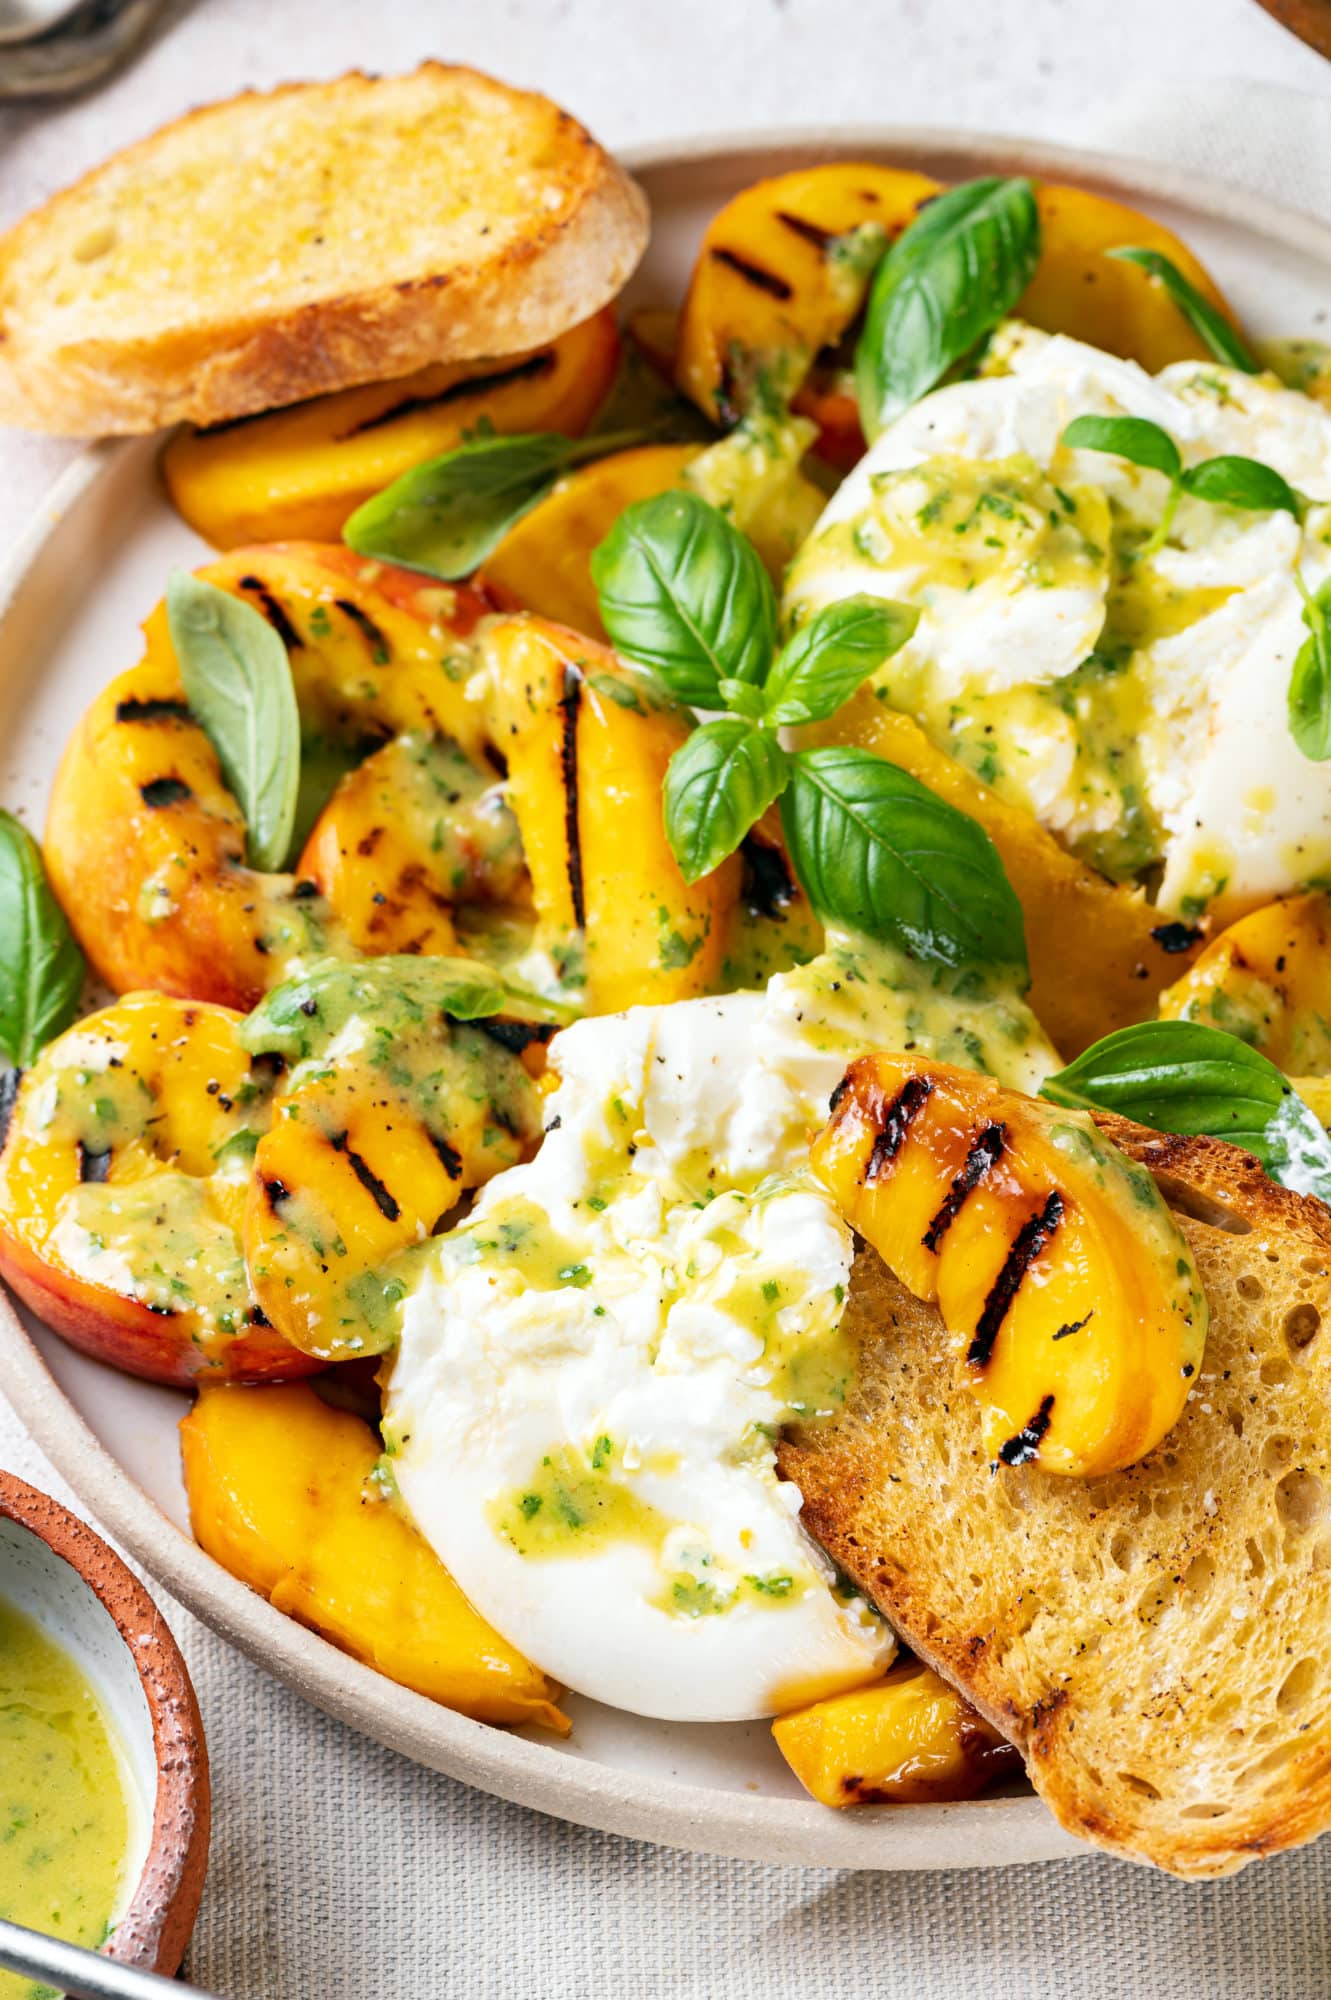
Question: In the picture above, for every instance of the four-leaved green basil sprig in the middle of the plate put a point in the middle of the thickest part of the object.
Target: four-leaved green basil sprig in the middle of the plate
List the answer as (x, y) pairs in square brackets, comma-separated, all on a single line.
[(874, 849)]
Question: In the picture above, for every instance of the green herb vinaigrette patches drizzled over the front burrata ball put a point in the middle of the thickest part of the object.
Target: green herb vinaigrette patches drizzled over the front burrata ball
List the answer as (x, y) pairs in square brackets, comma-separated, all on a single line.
[(583, 1497)]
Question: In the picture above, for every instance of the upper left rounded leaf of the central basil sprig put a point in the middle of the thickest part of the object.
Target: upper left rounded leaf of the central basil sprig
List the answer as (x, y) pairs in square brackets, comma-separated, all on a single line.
[(686, 595)]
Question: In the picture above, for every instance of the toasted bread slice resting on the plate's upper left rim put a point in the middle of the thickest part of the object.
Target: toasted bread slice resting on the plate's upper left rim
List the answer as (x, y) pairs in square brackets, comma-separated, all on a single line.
[(301, 241)]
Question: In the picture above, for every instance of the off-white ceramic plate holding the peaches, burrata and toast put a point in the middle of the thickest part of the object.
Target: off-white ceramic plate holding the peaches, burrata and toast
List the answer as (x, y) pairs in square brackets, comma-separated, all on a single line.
[(79, 587)]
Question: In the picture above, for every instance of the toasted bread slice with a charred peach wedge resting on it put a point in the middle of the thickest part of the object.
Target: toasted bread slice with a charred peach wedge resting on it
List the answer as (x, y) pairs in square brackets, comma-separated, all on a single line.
[(1156, 1643)]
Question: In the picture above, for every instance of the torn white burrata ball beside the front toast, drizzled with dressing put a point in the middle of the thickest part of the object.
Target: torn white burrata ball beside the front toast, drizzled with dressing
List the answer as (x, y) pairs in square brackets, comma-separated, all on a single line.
[(595, 1367)]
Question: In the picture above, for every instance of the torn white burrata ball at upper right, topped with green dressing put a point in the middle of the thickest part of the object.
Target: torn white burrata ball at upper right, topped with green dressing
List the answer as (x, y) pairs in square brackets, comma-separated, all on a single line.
[(1134, 703)]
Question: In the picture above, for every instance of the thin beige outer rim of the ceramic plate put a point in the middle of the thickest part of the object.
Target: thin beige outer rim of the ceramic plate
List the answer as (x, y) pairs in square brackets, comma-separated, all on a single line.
[(517, 1767)]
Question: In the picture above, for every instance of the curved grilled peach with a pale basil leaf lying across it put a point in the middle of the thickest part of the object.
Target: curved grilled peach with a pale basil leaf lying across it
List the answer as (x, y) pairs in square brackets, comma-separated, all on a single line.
[(147, 847)]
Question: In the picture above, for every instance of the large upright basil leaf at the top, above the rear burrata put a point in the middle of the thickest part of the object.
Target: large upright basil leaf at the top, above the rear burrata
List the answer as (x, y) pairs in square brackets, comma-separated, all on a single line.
[(944, 285)]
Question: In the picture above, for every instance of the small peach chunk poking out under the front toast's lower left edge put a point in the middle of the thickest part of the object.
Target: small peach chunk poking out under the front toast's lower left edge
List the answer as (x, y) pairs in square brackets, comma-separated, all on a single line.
[(906, 1739)]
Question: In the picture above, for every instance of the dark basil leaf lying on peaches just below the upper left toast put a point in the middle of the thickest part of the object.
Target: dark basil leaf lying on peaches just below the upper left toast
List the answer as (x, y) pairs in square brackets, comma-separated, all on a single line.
[(453, 513)]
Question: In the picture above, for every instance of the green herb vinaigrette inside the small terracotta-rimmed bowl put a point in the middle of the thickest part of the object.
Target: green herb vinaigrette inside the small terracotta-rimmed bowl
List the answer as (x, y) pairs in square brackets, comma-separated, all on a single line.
[(65, 1815)]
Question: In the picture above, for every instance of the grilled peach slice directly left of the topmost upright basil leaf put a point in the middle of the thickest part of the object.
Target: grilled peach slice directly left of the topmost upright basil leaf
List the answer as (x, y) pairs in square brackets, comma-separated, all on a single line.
[(782, 273)]
